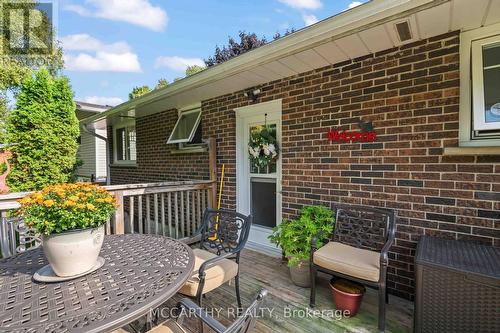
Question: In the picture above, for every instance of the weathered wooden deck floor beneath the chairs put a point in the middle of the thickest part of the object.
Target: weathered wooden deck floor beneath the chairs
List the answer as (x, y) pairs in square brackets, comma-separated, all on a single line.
[(289, 303)]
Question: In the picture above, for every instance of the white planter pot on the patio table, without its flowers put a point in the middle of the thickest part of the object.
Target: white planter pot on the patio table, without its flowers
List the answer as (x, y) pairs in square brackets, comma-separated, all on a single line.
[(73, 252)]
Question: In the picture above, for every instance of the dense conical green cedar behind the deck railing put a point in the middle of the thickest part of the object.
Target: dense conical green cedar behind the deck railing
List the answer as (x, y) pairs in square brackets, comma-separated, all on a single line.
[(42, 132)]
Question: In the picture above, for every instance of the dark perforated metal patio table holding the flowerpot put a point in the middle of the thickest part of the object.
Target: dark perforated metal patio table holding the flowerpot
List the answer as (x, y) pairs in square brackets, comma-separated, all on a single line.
[(140, 273)]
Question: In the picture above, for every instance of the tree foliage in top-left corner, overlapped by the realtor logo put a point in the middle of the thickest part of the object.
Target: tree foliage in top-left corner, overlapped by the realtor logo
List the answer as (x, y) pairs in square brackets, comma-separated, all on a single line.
[(15, 65)]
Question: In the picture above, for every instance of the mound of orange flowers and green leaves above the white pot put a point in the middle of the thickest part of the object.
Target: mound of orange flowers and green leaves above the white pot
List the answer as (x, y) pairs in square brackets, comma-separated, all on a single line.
[(64, 207)]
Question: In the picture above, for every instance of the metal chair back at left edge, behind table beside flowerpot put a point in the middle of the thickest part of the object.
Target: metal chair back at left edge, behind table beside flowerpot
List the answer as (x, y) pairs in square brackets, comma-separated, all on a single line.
[(16, 237)]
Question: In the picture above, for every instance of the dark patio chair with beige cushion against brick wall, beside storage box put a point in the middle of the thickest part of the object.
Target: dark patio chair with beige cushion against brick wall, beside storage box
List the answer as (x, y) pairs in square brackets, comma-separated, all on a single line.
[(358, 250)]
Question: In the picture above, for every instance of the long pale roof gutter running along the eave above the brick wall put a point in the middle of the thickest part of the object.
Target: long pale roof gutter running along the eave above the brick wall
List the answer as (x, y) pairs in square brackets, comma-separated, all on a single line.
[(348, 22)]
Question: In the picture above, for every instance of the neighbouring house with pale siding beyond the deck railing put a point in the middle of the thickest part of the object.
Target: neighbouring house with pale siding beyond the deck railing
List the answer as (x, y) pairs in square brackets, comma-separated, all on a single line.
[(92, 149)]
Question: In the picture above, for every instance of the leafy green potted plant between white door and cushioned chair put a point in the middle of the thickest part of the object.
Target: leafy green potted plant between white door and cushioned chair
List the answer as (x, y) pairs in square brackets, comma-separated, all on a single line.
[(294, 238)]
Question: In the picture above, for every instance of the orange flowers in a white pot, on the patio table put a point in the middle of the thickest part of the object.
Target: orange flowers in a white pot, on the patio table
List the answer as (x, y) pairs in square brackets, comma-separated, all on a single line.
[(70, 219)]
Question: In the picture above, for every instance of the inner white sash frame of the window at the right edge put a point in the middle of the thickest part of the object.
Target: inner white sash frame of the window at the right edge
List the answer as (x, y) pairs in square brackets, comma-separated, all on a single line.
[(478, 86)]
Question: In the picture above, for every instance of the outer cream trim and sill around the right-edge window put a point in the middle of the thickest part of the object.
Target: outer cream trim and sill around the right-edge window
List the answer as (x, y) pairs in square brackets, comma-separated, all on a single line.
[(466, 103)]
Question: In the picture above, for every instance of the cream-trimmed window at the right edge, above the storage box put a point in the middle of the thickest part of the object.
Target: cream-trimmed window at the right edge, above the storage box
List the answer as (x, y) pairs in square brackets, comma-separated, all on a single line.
[(479, 121)]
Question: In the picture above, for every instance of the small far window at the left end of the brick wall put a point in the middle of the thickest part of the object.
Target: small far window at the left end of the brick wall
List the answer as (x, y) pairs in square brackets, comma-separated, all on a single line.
[(124, 143)]
